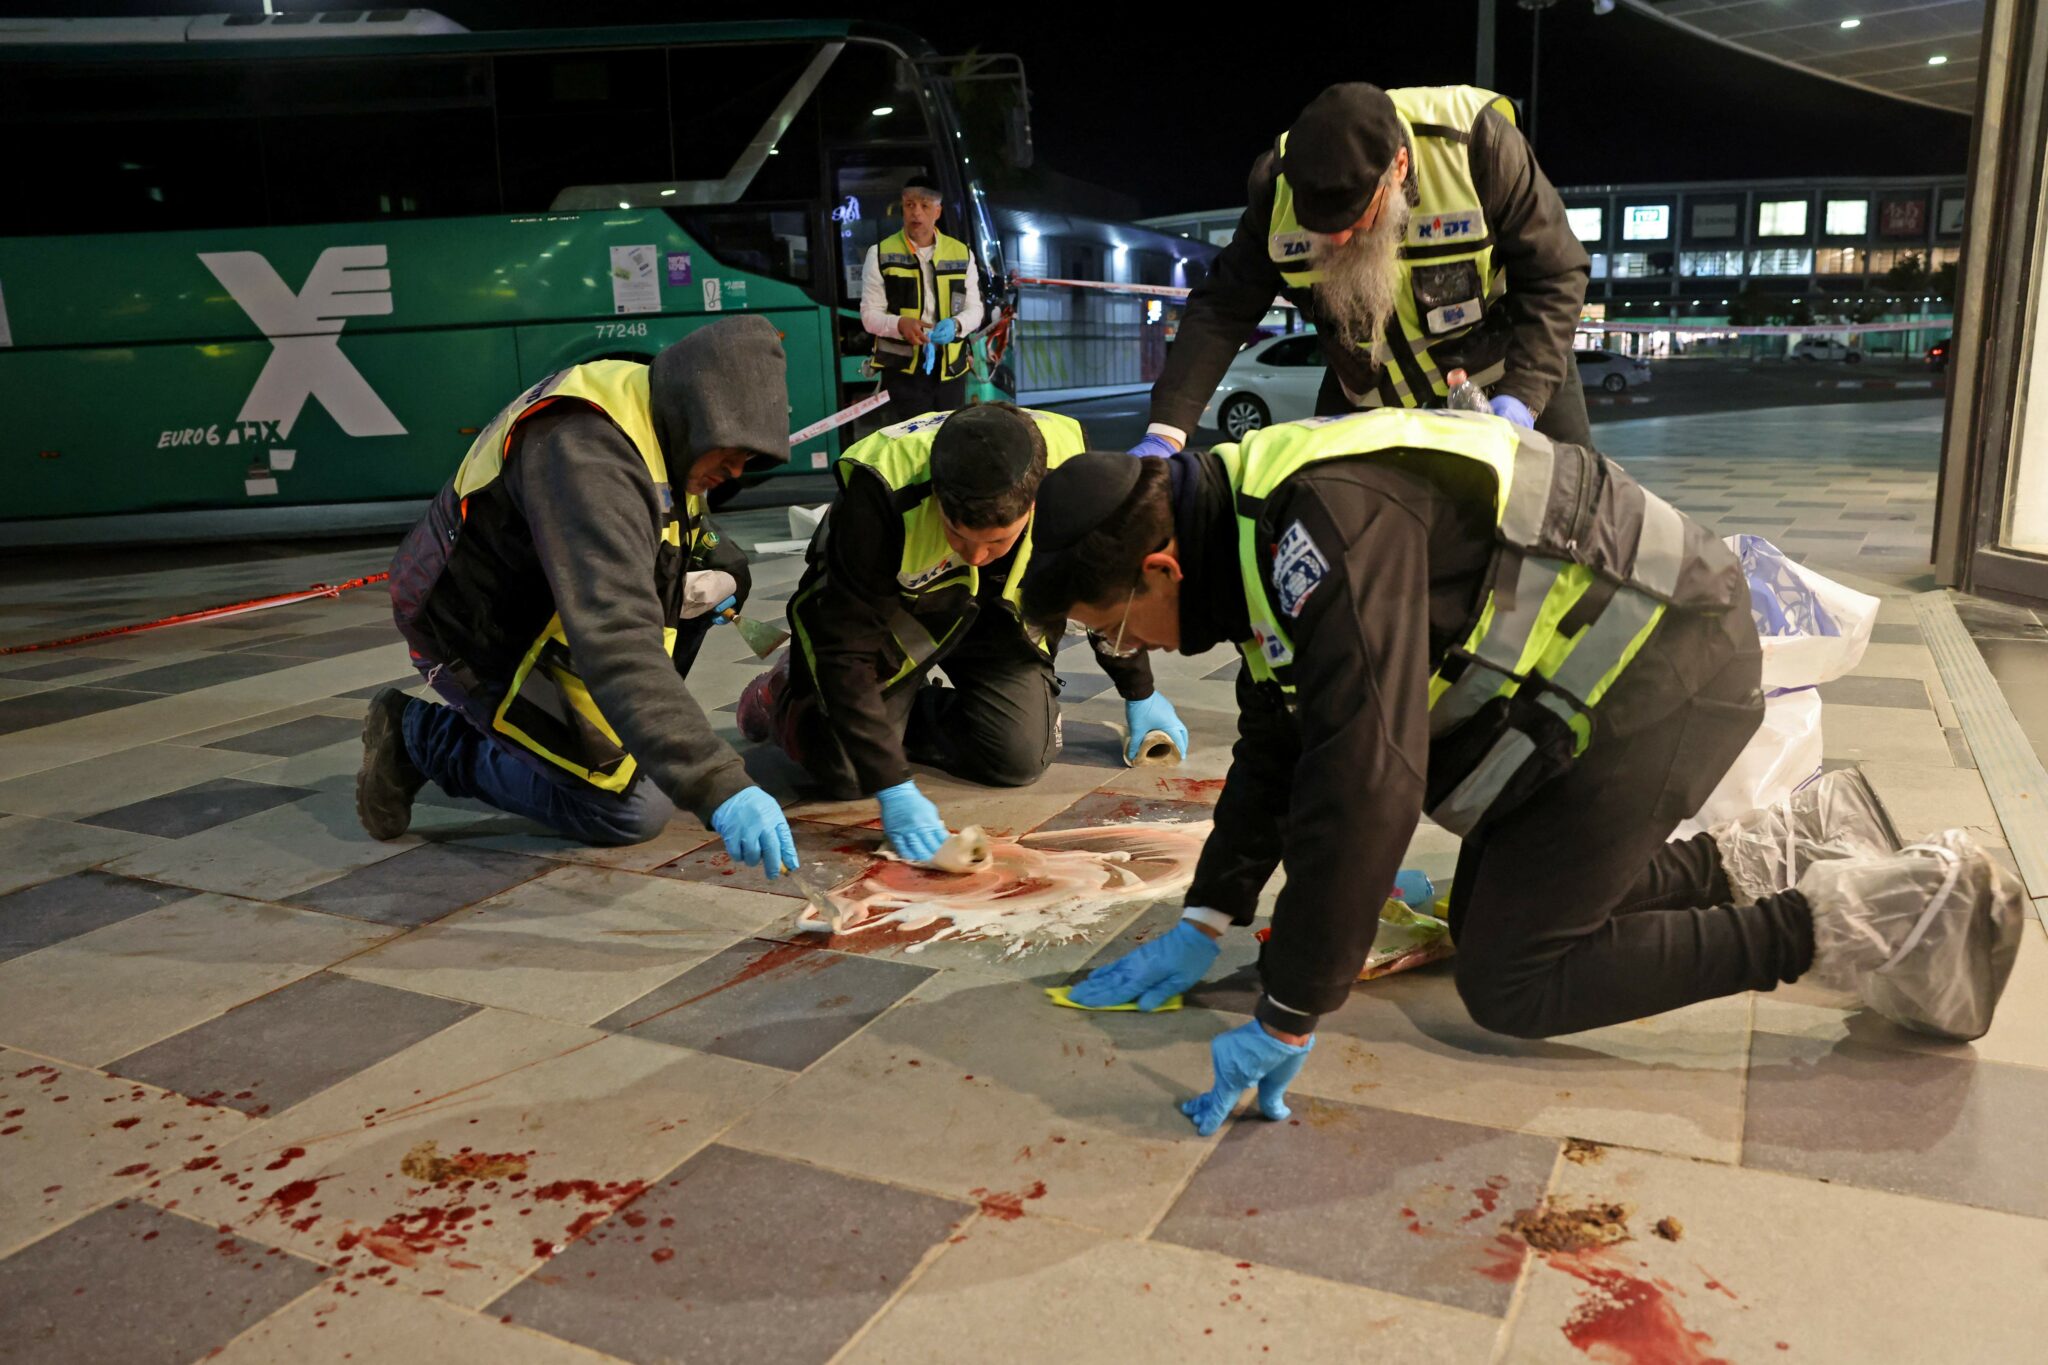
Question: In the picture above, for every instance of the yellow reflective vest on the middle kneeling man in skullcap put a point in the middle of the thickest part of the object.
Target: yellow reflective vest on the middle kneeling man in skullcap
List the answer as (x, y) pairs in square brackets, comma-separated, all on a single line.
[(935, 590)]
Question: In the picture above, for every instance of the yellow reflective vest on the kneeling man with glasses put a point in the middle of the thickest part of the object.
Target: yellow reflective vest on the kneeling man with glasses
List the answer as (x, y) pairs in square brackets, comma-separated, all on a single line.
[(1586, 568)]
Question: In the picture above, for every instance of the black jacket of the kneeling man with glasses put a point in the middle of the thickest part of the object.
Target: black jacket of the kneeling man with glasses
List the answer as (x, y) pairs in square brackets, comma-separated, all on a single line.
[(1336, 787)]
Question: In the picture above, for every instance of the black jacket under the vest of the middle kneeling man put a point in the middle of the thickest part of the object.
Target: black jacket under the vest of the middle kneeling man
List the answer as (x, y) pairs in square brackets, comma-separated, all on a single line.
[(845, 599)]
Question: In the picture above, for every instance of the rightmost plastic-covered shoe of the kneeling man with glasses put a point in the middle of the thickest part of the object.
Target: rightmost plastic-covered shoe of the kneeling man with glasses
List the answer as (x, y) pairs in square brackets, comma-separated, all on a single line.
[(1924, 936)]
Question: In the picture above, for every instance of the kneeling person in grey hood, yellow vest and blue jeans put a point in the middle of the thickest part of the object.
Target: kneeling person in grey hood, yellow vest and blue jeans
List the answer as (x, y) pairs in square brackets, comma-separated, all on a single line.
[(556, 595)]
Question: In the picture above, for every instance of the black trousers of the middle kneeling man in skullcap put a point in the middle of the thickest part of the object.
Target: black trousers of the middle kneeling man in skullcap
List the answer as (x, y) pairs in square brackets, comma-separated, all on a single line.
[(994, 725)]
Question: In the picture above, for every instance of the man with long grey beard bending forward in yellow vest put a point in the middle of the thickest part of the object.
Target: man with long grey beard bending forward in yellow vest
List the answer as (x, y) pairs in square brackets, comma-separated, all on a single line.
[(1416, 232)]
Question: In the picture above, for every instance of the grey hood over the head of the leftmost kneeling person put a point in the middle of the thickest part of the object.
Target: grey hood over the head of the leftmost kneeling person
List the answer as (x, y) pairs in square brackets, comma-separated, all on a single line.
[(720, 388)]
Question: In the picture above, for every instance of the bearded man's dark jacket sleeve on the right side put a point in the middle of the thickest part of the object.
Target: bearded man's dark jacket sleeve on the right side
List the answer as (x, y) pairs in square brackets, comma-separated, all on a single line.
[(1547, 269)]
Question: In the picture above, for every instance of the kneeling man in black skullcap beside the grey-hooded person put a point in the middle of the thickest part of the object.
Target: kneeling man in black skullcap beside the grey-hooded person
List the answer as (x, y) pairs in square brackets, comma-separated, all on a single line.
[(921, 562)]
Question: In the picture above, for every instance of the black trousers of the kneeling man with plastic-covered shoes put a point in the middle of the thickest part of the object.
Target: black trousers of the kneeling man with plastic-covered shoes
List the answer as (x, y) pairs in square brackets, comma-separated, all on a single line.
[(1574, 912)]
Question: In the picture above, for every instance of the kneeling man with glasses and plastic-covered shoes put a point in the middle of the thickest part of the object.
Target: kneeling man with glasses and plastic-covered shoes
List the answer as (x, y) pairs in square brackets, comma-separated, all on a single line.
[(1445, 613)]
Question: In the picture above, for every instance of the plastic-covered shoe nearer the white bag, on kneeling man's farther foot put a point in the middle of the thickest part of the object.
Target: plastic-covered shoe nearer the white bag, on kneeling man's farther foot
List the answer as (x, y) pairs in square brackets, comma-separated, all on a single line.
[(1836, 816)]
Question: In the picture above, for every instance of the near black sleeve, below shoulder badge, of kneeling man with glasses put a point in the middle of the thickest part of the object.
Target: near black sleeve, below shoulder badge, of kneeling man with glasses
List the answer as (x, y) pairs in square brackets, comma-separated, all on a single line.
[(1363, 715)]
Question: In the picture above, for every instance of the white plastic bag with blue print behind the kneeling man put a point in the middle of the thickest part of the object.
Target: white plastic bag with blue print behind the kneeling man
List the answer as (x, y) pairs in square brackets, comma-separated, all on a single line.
[(1814, 631)]
